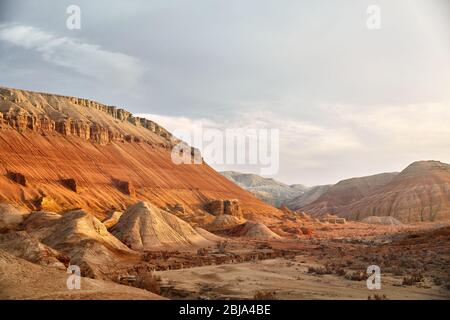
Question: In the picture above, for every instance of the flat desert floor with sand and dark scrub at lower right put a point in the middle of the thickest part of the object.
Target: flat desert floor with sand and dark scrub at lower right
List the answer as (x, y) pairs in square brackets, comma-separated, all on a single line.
[(414, 265)]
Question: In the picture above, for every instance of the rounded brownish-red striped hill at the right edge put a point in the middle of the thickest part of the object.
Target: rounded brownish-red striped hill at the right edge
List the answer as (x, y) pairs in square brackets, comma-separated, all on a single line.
[(421, 192)]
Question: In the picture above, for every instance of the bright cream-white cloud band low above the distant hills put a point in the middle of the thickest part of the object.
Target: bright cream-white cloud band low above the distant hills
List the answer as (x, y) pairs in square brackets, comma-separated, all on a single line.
[(355, 143)]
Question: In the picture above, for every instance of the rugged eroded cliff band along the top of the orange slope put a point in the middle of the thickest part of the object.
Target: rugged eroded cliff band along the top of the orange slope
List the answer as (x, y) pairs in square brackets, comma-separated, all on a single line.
[(23, 110)]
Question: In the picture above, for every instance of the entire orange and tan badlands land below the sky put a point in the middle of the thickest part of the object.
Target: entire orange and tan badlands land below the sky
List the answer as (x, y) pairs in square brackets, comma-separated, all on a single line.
[(90, 186)]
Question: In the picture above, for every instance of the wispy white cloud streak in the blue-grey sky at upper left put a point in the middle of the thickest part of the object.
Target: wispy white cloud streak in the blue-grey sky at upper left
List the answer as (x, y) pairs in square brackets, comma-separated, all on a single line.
[(110, 68)]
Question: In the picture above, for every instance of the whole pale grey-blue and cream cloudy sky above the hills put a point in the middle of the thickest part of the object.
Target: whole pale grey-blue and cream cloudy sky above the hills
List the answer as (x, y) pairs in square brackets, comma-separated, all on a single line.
[(348, 101)]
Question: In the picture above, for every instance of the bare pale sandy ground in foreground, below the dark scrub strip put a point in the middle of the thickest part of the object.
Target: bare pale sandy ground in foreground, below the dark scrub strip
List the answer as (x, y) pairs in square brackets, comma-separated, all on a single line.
[(288, 279)]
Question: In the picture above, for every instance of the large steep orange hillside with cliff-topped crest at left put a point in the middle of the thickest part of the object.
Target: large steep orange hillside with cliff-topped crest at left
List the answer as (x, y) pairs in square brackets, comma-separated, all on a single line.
[(46, 157)]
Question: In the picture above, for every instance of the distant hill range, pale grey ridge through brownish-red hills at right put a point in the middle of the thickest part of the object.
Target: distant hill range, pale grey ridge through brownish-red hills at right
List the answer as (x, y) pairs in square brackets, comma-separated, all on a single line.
[(421, 192)]
